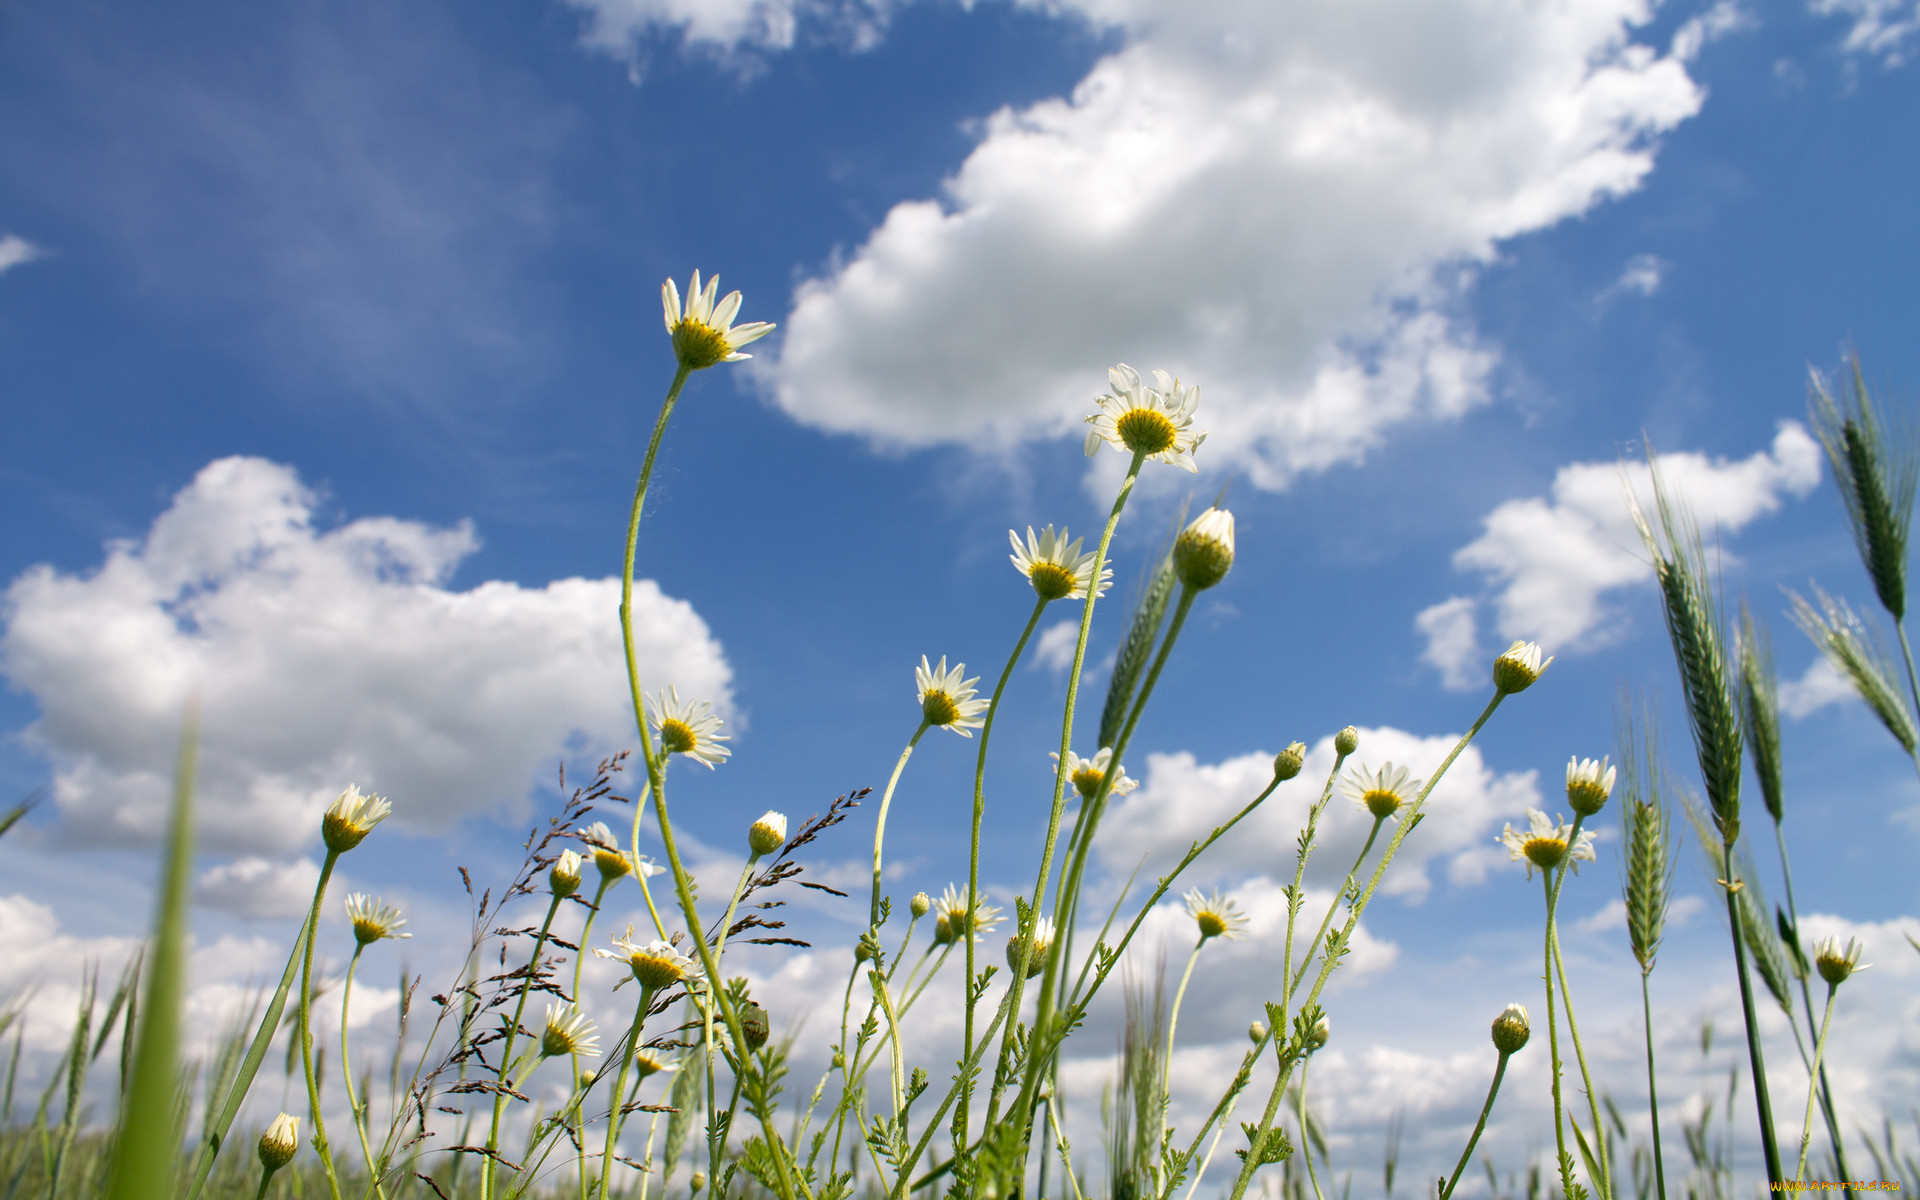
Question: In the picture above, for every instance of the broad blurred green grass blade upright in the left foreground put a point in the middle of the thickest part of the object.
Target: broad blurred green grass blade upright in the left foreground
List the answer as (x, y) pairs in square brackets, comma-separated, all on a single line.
[(149, 1136)]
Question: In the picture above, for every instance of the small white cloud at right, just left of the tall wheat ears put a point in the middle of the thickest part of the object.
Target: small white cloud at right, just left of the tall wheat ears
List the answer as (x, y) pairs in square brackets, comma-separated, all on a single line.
[(1552, 560)]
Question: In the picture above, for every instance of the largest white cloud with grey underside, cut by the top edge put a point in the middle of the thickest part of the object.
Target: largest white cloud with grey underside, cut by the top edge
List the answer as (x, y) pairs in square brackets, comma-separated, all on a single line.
[(1268, 201)]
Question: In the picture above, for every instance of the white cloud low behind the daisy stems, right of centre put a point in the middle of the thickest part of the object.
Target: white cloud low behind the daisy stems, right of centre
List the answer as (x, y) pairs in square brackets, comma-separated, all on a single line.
[(1182, 802)]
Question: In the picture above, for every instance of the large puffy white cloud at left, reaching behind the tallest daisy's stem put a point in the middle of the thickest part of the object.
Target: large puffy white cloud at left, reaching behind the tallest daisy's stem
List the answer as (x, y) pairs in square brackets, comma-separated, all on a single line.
[(320, 660)]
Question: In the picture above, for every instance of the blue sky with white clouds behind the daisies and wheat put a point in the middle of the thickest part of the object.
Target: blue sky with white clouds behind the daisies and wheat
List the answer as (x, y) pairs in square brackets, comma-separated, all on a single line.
[(366, 304)]
